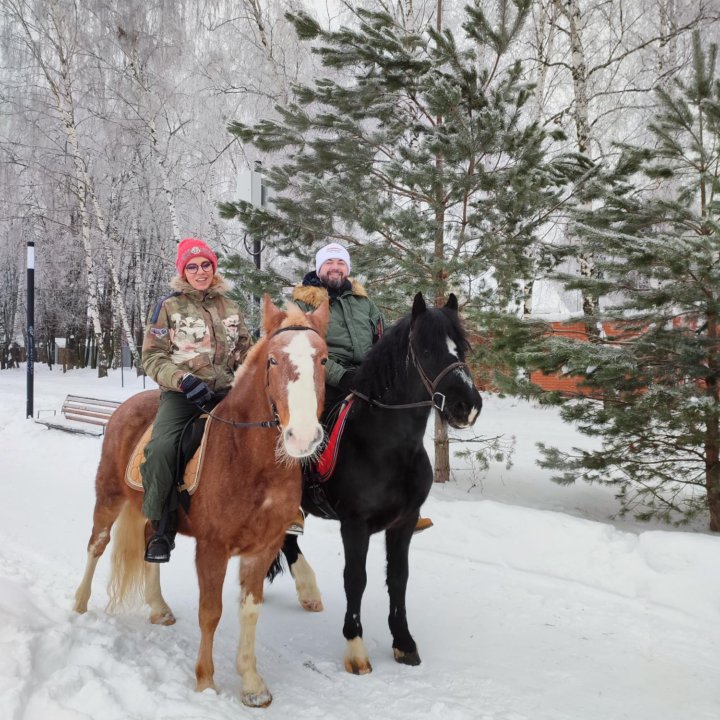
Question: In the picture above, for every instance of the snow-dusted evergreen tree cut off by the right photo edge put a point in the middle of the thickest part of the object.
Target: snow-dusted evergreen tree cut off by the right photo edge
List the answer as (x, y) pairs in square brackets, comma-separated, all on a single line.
[(652, 374)]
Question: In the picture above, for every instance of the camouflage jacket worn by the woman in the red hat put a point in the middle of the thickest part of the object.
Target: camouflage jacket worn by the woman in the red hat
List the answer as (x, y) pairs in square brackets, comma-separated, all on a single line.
[(194, 332)]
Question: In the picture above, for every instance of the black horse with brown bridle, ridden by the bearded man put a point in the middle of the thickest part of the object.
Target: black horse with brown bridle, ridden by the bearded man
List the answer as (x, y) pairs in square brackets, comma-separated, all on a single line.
[(383, 473)]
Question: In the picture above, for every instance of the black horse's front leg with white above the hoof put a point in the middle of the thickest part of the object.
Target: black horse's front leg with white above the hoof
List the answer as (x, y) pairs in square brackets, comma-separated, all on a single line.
[(356, 539)]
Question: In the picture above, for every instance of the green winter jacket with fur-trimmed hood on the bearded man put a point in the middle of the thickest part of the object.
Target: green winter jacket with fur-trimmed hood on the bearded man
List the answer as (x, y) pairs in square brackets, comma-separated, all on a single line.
[(355, 323)]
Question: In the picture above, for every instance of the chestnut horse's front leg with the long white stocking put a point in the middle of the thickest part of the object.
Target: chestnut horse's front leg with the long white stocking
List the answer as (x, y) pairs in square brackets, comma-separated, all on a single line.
[(252, 576)]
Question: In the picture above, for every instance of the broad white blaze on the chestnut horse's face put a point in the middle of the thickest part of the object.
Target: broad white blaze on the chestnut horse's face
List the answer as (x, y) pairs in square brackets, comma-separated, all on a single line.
[(303, 432)]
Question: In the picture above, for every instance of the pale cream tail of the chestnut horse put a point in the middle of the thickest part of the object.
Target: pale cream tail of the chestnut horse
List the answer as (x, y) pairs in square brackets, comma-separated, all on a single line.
[(127, 578)]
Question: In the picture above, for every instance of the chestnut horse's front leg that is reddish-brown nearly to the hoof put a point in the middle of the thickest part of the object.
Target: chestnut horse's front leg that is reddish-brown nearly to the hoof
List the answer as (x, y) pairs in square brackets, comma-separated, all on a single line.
[(211, 563)]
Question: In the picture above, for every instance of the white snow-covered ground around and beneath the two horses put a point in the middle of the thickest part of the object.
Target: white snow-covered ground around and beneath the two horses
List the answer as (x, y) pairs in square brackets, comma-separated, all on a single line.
[(526, 601)]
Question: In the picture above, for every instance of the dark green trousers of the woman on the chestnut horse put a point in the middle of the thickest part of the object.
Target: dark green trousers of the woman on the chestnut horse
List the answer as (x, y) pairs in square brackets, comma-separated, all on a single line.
[(161, 453)]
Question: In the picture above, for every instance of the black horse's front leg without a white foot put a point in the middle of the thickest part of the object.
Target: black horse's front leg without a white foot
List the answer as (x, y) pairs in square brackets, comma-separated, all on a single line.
[(397, 546)]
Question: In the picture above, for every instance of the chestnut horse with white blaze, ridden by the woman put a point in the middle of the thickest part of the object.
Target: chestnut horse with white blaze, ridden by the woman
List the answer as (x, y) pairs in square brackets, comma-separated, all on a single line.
[(248, 493)]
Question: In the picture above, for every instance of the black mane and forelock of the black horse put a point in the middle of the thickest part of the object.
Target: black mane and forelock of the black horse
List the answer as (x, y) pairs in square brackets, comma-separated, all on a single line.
[(386, 365)]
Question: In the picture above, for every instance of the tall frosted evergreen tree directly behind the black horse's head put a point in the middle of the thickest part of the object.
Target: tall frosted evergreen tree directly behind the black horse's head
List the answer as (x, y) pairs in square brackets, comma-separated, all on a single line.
[(417, 150)]
